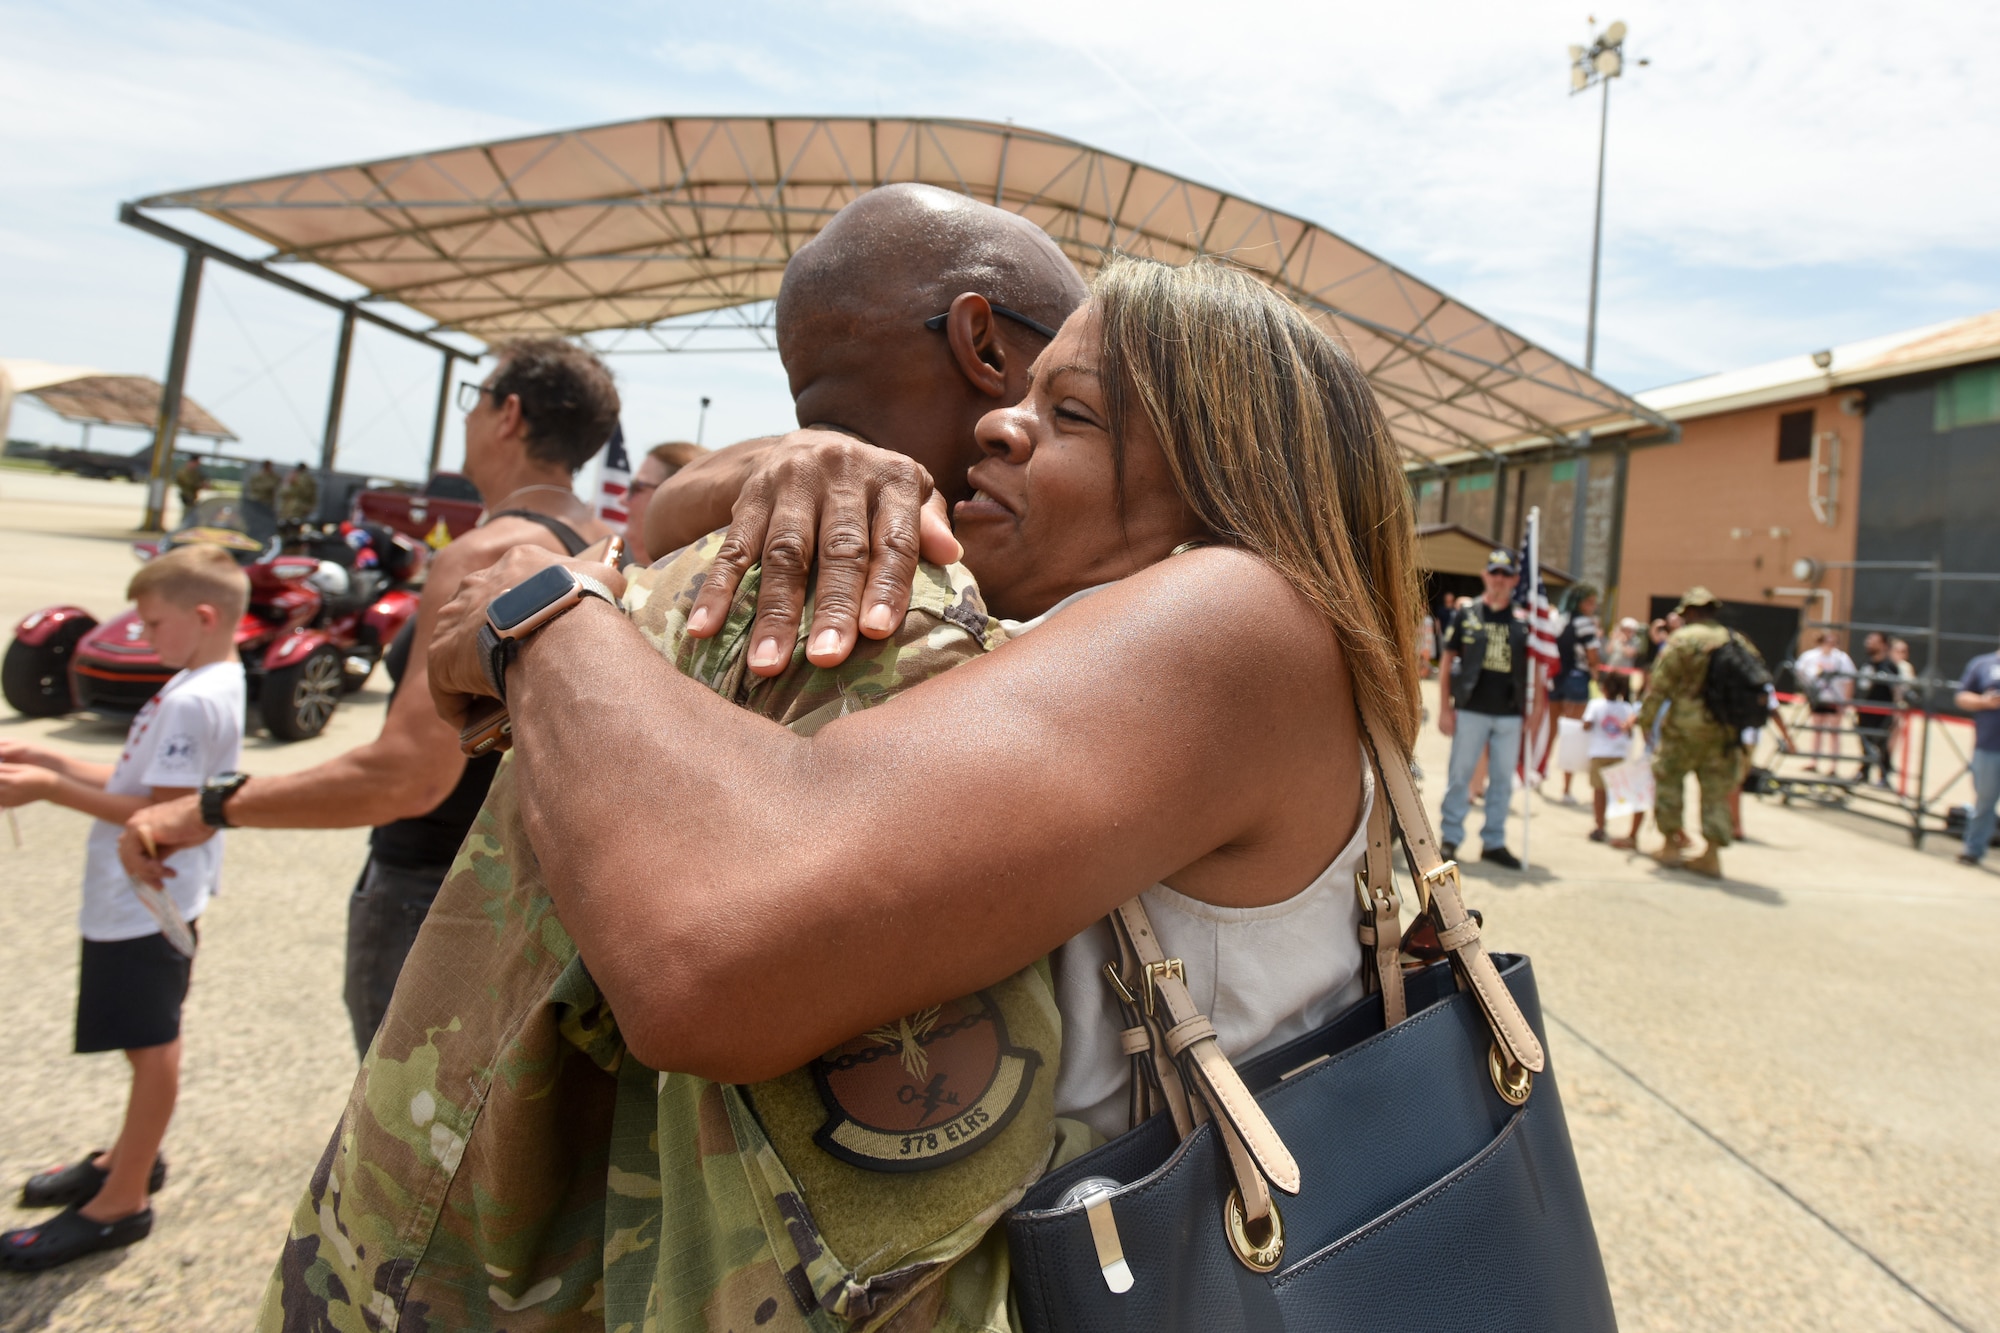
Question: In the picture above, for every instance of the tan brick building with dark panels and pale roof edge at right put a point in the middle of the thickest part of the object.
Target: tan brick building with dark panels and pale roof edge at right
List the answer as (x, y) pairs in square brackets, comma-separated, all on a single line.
[(1885, 449)]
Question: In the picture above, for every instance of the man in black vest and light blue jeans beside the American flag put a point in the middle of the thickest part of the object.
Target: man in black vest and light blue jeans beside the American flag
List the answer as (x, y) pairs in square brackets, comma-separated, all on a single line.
[(1483, 690)]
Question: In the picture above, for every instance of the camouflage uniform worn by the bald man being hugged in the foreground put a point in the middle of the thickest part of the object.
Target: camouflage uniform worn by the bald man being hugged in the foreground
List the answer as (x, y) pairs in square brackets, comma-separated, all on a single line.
[(645, 1200)]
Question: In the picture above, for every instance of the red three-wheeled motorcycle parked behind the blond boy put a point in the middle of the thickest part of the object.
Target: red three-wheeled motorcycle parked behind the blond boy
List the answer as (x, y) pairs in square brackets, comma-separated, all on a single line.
[(325, 603)]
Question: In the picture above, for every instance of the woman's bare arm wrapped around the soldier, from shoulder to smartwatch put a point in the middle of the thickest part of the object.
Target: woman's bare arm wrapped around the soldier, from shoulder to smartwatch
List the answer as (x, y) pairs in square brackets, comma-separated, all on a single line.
[(749, 898)]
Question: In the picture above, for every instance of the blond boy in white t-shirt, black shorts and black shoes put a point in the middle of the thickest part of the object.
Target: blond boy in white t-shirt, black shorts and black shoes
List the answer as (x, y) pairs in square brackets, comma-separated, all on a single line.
[(133, 978)]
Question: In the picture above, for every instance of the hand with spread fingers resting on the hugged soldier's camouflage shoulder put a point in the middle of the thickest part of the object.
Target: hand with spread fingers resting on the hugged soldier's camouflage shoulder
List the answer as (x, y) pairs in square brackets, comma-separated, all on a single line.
[(863, 513)]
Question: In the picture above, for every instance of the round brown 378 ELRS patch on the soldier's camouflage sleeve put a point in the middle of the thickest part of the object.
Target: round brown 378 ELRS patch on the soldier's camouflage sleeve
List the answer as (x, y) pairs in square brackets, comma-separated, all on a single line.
[(927, 1090)]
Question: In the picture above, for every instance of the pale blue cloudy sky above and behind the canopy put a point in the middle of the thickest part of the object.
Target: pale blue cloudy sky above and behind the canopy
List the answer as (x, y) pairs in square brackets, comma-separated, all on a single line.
[(1783, 177)]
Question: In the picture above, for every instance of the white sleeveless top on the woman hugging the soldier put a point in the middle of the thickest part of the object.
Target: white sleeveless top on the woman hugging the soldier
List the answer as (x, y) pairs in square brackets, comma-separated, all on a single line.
[(1261, 974)]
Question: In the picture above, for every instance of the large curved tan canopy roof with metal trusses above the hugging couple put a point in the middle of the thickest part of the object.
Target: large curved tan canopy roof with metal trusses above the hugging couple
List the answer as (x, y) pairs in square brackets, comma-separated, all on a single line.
[(629, 225)]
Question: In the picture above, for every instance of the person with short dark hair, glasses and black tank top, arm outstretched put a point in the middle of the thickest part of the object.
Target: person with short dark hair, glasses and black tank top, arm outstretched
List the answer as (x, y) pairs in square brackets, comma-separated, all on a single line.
[(541, 415)]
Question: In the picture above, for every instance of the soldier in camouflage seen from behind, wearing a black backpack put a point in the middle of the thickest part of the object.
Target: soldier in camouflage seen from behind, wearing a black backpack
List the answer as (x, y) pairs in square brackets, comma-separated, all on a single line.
[(1691, 738)]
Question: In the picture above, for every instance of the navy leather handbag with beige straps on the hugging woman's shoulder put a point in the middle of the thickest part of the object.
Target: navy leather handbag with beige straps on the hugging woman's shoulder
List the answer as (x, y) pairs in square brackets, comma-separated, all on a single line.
[(1417, 1148)]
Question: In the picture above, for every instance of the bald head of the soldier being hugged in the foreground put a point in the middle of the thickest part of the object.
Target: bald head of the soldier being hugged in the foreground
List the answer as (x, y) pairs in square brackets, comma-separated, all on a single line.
[(855, 305)]
